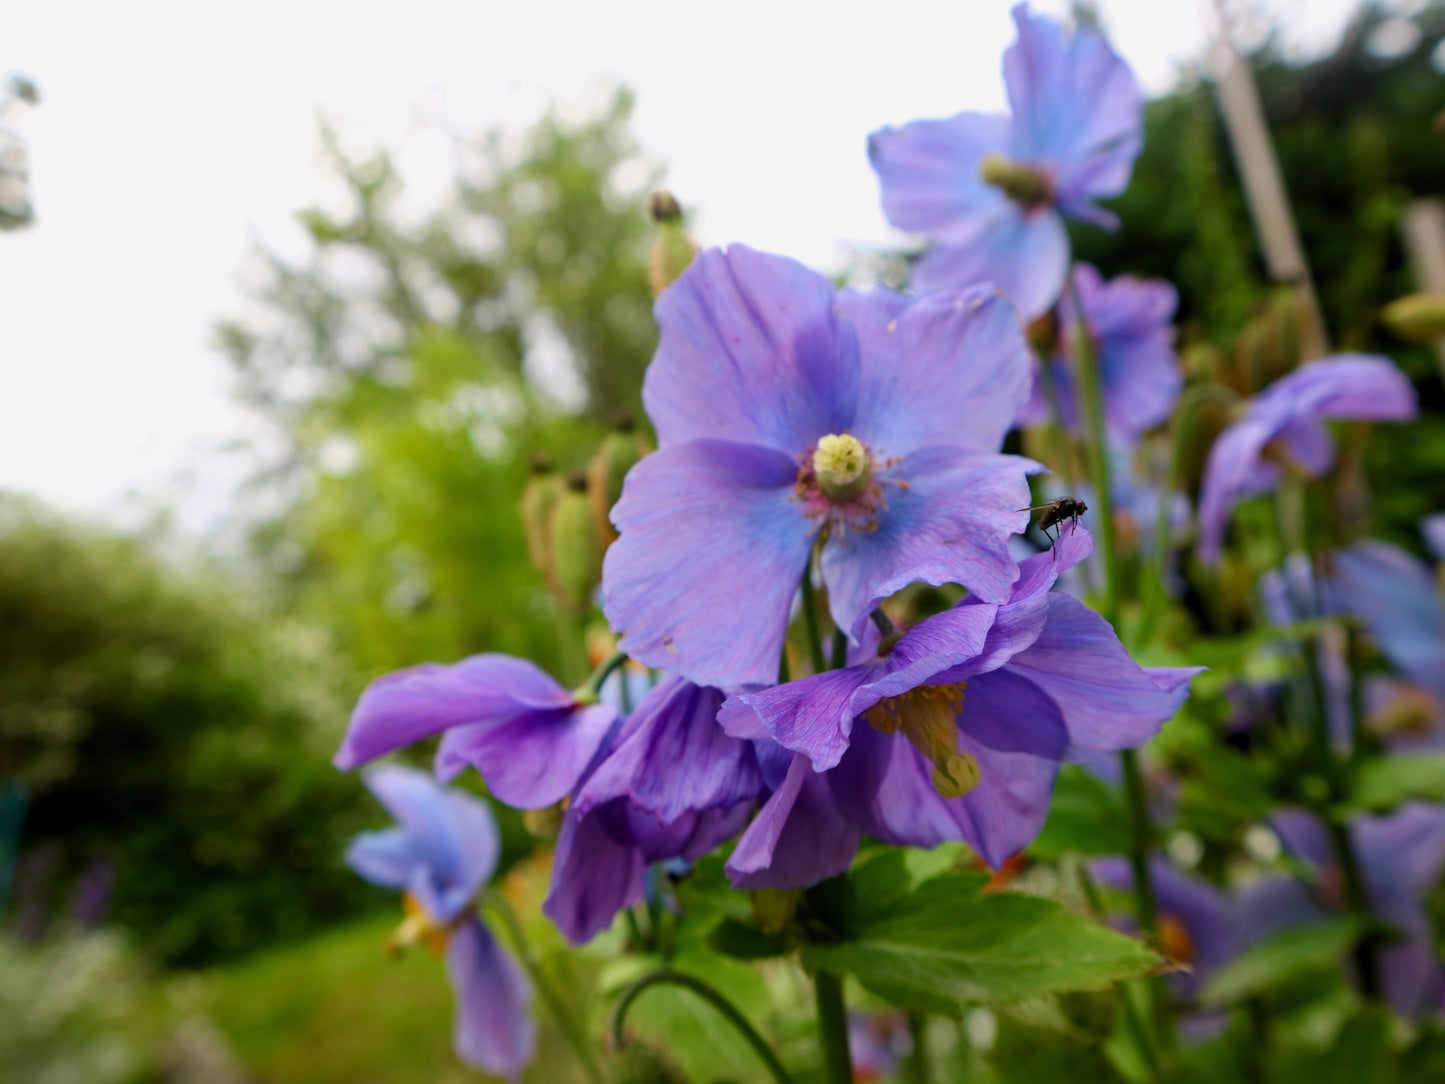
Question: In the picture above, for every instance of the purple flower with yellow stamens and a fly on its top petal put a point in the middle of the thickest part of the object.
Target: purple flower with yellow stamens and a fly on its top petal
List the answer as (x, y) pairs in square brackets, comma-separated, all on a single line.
[(956, 734)]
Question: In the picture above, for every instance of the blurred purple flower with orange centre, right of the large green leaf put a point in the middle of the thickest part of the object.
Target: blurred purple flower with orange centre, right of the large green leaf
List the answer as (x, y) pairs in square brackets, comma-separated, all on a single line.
[(1196, 926)]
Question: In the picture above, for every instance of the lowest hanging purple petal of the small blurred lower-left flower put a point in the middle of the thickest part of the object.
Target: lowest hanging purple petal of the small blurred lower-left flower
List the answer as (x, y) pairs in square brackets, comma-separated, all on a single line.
[(493, 1028)]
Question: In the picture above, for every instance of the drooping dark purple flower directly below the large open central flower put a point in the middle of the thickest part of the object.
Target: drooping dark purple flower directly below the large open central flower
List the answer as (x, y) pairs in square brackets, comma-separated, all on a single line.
[(668, 786)]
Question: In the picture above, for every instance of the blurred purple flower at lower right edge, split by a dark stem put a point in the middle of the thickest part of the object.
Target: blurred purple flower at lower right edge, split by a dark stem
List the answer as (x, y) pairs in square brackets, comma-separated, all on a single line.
[(1401, 862)]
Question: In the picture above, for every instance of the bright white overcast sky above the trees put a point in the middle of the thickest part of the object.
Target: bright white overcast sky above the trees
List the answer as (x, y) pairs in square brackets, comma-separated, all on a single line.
[(171, 135)]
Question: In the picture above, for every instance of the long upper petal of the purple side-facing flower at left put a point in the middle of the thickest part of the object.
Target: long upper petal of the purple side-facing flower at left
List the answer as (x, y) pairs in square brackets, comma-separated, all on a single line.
[(420, 702)]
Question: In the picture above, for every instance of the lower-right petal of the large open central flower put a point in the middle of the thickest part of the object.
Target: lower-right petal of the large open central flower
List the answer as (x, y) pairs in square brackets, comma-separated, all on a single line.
[(952, 525)]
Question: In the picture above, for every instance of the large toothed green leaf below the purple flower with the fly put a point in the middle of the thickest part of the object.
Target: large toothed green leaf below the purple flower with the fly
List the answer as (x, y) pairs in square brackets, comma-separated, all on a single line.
[(944, 946)]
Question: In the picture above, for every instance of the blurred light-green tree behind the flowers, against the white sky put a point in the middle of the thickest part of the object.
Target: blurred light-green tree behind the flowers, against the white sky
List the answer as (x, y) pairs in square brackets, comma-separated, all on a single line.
[(413, 371)]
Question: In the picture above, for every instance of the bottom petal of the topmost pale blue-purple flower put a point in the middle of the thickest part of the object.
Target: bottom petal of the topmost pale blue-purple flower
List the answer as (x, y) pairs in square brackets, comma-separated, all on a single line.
[(1025, 254)]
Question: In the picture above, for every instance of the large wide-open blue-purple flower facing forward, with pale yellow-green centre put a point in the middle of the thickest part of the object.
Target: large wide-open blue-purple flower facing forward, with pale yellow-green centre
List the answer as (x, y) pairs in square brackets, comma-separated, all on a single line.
[(787, 411)]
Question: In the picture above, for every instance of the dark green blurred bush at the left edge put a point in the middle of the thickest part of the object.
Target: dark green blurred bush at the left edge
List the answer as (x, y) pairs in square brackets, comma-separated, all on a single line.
[(167, 731)]
